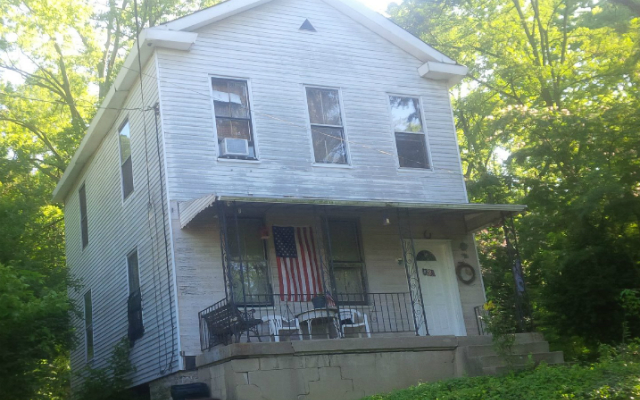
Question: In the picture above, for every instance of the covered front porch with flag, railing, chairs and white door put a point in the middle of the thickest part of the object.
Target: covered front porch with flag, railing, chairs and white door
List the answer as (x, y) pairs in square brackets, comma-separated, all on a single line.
[(304, 269)]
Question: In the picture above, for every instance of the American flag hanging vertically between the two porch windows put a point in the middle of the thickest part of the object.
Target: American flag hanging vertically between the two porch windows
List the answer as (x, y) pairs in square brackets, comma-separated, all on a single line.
[(298, 267)]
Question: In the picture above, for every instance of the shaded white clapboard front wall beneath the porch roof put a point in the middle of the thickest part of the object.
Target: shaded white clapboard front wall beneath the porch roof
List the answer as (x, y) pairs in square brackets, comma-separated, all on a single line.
[(201, 278)]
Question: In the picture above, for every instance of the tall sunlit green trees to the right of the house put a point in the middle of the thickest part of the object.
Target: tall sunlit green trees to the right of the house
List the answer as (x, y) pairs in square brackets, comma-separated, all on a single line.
[(549, 118)]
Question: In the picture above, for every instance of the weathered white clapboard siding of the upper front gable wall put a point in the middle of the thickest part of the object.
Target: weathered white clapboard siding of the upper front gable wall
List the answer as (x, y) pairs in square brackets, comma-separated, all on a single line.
[(266, 46)]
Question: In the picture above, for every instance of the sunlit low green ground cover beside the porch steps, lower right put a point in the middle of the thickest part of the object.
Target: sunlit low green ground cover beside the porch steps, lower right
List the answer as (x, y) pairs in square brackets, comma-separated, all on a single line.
[(614, 377)]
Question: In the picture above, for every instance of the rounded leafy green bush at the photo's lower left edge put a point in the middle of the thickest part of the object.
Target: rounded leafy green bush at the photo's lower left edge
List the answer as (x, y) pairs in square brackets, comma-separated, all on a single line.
[(35, 336)]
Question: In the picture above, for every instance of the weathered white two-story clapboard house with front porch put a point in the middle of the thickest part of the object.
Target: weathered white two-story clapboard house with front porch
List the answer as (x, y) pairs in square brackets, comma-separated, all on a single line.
[(270, 203)]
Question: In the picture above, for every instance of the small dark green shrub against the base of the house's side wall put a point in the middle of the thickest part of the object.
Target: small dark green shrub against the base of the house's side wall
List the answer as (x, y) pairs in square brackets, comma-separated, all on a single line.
[(111, 382)]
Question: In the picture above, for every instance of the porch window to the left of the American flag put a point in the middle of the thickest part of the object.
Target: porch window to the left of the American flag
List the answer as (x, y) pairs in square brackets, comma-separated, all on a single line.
[(255, 271)]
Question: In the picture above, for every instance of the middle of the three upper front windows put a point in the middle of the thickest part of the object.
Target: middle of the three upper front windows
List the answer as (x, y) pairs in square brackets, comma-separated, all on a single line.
[(327, 131)]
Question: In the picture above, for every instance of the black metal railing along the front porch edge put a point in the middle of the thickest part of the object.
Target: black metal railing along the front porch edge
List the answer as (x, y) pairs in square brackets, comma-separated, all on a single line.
[(354, 315)]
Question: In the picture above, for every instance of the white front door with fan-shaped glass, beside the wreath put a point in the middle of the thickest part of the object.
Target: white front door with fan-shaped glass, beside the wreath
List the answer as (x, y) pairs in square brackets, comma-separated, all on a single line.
[(439, 285)]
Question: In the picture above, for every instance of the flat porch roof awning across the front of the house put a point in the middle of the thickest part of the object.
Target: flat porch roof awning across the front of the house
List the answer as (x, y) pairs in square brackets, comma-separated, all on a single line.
[(476, 215)]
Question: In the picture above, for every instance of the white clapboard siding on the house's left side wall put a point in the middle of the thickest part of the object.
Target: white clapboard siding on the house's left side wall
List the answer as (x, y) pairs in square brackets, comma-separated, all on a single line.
[(115, 229)]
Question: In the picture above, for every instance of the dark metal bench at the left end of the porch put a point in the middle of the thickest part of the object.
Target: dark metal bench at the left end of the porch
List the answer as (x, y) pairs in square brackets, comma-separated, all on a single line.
[(224, 320)]
